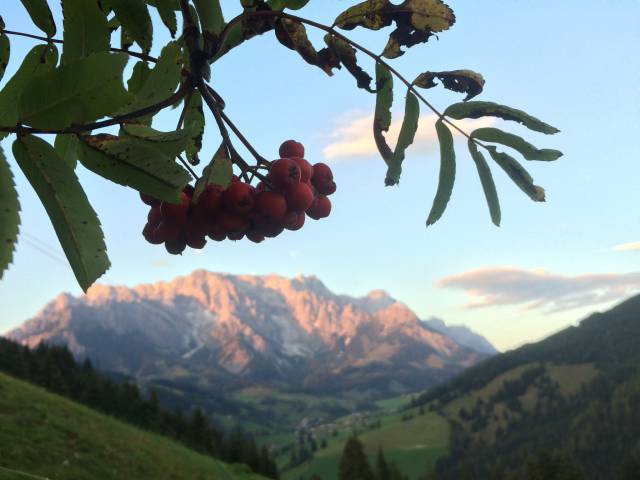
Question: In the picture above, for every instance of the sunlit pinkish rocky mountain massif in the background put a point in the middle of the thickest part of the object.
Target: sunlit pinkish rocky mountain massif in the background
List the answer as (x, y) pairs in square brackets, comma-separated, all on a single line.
[(233, 331)]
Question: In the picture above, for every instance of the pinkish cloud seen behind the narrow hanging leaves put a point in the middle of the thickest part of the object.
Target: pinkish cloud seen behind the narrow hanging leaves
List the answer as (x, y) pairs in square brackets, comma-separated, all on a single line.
[(352, 138)]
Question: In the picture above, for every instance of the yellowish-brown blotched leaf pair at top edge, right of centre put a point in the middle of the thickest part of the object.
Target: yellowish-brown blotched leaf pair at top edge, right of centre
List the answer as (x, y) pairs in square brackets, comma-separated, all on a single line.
[(416, 21)]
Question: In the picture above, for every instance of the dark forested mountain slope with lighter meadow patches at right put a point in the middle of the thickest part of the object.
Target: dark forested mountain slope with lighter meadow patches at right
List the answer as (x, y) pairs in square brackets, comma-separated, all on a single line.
[(575, 392)]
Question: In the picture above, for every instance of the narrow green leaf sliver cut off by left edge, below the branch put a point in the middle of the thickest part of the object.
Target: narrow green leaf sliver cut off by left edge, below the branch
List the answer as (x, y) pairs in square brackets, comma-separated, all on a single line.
[(9, 214)]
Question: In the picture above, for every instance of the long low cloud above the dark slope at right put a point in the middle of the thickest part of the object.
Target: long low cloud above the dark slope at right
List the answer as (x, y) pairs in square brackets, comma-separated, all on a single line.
[(540, 289)]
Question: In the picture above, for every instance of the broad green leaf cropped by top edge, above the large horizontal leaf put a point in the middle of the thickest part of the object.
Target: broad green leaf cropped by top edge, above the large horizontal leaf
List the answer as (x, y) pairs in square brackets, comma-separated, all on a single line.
[(86, 30)]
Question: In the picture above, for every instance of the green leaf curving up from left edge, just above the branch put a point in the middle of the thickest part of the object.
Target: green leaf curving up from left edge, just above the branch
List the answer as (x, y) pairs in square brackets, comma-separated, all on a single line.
[(41, 59)]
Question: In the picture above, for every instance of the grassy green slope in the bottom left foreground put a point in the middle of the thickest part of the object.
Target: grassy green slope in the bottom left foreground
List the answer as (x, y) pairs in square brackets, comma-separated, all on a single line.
[(46, 435)]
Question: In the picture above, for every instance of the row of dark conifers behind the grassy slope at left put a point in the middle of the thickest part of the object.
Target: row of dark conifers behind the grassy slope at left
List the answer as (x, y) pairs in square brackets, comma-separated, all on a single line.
[(55, 369)]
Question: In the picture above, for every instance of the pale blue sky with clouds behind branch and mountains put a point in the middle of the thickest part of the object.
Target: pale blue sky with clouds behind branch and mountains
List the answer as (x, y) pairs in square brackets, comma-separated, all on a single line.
[(572, 64)]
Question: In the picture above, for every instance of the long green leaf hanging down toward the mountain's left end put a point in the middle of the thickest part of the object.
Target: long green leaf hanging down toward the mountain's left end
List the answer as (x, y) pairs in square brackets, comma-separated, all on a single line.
[(73, 219)]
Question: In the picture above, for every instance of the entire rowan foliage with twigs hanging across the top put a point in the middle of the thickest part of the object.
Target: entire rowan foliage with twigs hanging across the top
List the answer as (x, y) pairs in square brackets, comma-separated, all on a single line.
[(72, 88)]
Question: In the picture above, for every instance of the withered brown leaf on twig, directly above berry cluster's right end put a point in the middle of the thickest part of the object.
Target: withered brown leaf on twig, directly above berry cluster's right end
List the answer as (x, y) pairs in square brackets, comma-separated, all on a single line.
[(293, 35)]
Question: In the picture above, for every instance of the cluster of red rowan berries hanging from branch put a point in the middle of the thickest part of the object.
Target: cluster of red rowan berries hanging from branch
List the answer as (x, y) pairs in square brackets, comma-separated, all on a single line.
[(292, 190)]
